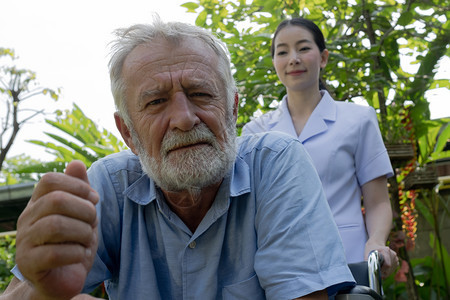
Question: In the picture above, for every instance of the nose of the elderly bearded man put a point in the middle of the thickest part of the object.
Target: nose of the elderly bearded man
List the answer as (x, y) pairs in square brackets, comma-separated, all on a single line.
[(182, 113)]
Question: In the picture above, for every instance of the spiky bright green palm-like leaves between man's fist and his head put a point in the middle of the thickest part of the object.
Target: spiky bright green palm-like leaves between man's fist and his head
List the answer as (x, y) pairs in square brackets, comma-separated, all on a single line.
[(81, 139)]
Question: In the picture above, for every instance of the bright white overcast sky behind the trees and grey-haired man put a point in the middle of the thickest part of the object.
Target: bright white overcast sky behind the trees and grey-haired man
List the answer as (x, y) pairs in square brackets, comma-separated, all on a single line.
[(66, 44)]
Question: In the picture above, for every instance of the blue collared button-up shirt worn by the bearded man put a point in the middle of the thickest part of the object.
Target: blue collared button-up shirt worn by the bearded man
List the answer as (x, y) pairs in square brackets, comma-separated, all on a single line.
[(265, 236)]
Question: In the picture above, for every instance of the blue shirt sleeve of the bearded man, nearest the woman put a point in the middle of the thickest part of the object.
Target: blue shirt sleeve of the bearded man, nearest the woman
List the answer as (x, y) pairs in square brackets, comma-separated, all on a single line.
[(299, 247)]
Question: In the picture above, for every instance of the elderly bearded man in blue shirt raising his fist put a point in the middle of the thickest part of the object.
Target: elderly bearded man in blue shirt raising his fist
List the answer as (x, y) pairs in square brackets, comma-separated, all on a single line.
[(191, 212)]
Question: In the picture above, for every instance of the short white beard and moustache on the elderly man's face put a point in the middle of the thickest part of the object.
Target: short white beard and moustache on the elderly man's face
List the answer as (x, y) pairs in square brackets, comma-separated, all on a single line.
[(191, 168)]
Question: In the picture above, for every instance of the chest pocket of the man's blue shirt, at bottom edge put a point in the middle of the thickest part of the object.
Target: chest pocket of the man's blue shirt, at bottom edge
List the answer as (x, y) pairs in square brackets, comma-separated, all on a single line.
[(247, 289)]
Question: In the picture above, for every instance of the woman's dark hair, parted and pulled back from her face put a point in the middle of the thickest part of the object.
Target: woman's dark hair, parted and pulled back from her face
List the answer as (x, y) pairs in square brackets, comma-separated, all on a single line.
[(311, 27)]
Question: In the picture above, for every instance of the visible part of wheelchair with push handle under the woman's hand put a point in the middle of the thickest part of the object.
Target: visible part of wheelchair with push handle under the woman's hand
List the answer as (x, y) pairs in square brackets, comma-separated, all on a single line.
[(367, 275)]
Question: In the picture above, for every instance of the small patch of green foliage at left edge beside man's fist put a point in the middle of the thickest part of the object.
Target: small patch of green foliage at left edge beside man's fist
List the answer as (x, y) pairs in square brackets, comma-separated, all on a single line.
[(7, 259)]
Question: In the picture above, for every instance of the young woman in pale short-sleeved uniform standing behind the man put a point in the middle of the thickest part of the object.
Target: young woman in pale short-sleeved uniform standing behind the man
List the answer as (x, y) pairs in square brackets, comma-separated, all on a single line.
[(342, 138)]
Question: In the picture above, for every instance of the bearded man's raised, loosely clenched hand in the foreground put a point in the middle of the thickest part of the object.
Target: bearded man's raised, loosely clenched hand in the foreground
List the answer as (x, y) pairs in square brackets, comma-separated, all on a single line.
[(57, 234)]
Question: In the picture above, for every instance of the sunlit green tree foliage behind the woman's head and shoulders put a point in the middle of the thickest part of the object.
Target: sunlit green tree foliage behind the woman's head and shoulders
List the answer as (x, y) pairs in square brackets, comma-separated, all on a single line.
[(365, 38)]
